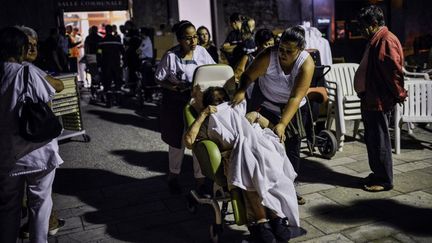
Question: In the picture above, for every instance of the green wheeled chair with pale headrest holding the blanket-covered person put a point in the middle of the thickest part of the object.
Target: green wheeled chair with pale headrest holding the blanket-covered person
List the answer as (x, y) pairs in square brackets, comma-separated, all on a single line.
[(210, 160)]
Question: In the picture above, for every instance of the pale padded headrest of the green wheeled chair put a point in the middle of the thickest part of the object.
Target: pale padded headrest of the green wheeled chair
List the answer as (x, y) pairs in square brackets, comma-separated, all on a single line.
[(212, 75)]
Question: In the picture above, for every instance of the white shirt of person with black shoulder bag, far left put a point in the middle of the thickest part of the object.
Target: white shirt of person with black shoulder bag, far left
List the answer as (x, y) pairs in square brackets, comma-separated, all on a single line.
[(18, 156)]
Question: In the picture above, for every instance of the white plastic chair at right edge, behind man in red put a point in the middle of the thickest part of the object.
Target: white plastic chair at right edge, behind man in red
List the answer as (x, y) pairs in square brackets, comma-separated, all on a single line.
[(417, 108)]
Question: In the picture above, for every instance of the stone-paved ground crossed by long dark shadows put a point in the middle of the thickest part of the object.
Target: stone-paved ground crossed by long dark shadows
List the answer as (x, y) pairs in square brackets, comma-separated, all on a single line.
[(114, 189)]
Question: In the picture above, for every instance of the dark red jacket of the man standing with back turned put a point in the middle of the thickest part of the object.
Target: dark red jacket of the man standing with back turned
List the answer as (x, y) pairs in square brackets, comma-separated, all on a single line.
[(384, 75)]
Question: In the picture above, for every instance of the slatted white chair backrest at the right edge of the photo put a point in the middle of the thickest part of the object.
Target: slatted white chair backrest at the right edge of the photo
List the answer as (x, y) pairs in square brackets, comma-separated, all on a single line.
[(418, 106)]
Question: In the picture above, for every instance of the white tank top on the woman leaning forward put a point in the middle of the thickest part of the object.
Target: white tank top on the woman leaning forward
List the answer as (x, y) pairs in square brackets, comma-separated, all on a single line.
[(275, 85)]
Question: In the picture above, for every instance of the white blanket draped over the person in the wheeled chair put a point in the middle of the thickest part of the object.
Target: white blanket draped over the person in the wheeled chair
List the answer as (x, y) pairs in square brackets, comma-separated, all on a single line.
[(258, 160)]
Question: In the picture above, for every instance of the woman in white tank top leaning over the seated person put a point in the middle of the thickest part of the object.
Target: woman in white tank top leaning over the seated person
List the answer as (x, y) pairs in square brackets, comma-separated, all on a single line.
[(284, 74)]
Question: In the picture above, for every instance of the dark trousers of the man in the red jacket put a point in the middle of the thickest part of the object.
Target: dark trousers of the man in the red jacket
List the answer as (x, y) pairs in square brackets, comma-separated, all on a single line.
[(378, 144)]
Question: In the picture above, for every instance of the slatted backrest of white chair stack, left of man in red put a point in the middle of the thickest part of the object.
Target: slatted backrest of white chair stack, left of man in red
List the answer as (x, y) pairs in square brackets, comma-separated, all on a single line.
[(343, 74)]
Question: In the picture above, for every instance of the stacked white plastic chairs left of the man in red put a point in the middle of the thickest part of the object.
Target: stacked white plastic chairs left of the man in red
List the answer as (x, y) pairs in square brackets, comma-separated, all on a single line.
[(343, 101)]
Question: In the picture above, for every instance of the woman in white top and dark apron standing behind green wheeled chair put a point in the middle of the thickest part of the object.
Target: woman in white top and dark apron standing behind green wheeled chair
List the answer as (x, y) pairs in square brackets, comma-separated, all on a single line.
[(174, 73)]
